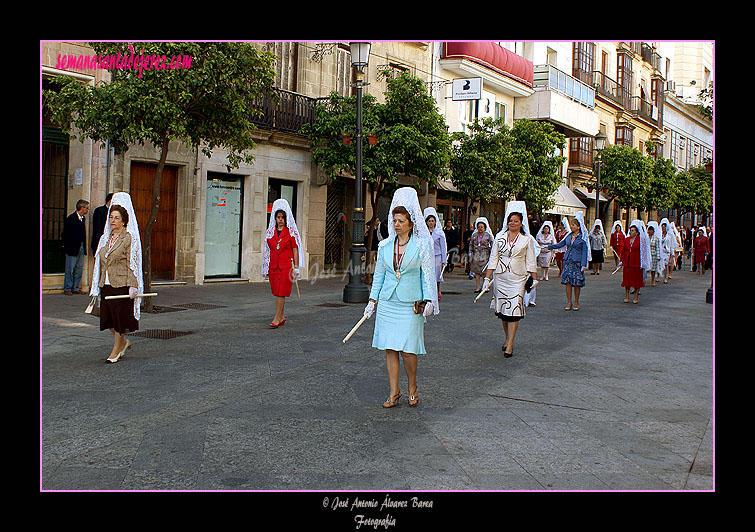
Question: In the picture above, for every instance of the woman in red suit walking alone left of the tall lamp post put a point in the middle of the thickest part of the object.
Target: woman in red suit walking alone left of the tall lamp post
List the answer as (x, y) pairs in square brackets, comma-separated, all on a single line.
[(281, 257)]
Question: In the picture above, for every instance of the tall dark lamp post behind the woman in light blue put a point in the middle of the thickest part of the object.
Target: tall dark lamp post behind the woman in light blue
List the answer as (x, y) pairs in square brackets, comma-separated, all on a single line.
[(356, 291)]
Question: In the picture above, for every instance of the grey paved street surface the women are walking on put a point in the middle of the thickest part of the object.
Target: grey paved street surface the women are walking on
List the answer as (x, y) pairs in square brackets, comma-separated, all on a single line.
[(613, 397)]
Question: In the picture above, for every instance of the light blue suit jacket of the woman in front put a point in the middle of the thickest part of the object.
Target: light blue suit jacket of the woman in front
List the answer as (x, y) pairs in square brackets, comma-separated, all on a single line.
[(411, 287)]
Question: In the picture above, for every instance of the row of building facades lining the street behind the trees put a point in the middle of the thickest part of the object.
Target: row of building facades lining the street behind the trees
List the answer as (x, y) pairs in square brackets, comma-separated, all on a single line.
[(212, 223)]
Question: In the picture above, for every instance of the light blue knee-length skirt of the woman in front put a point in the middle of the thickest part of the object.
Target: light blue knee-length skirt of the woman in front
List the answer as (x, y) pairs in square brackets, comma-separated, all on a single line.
[(397, 327)]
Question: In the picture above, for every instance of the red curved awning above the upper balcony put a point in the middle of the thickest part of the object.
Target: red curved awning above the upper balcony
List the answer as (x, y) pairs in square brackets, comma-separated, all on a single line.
[(493, 56)]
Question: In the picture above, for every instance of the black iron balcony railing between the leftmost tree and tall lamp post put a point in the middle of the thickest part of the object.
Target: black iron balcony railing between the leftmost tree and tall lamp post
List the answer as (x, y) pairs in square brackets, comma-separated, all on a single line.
[(284, 110)]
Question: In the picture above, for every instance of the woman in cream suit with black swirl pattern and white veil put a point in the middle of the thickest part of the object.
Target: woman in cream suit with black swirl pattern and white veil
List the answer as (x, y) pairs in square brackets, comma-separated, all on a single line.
[(513, 259)]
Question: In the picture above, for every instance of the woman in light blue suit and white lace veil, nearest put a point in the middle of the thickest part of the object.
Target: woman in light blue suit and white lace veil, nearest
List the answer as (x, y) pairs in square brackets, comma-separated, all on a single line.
[(403, 292)]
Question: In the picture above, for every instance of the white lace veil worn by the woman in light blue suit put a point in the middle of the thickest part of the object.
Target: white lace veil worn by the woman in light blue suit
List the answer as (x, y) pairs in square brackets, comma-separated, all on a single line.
[(407, 197)]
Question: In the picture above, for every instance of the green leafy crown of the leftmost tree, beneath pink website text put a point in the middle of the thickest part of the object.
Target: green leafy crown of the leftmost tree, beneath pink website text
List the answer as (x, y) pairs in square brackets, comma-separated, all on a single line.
[(206, 104)]
